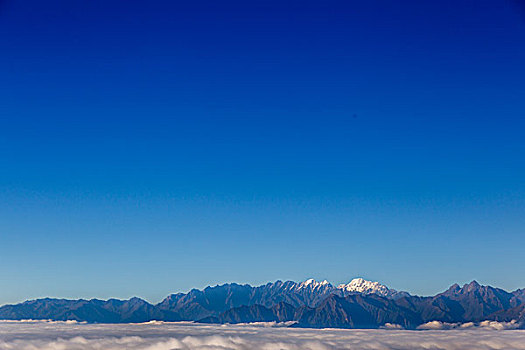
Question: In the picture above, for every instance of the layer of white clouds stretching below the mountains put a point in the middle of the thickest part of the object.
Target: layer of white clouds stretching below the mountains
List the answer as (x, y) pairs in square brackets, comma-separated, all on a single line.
[(38, 335)]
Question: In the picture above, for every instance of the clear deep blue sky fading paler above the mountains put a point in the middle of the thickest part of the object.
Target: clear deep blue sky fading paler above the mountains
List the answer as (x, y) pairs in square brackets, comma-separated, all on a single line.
[(152, 147)]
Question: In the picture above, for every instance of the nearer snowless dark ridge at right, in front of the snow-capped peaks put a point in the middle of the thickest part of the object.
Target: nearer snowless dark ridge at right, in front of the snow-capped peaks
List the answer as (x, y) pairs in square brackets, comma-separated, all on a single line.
[(470, 303)]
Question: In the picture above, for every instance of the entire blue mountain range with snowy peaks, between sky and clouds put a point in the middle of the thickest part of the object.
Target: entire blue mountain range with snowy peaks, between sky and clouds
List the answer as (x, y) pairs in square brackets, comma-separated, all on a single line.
[(358, 304)]
